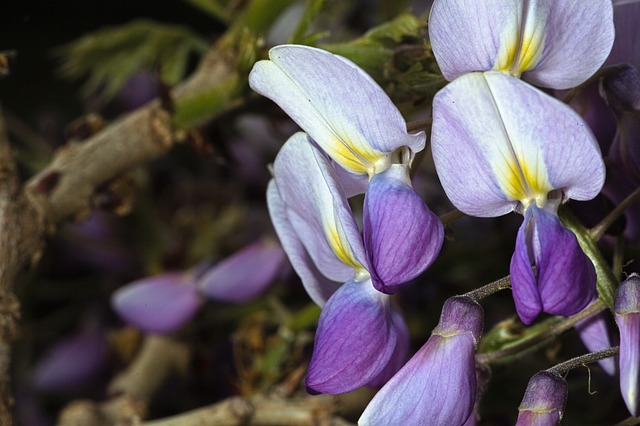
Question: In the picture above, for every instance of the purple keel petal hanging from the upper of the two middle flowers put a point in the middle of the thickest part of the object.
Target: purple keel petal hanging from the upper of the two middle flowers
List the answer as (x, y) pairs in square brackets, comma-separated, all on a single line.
[(402, 236)]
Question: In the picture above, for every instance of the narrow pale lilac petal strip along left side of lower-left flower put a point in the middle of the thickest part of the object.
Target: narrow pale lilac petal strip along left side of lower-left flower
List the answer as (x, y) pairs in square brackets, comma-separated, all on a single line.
[(317, 286)]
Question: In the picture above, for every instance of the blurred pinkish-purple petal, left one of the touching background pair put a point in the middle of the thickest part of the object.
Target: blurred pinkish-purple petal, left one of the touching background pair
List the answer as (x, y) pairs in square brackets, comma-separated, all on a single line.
[(159, 304)]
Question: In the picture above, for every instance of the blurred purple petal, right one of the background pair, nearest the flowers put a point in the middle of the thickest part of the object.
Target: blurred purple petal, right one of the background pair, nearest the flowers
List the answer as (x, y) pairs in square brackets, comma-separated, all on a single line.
[(244, 275)]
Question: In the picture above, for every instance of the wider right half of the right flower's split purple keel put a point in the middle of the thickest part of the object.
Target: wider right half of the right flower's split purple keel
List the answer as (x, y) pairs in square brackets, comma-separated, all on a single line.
[(566, 276)]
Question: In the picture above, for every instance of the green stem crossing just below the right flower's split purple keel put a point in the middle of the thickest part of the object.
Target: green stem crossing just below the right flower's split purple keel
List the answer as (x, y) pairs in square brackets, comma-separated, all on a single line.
[(533, 341)]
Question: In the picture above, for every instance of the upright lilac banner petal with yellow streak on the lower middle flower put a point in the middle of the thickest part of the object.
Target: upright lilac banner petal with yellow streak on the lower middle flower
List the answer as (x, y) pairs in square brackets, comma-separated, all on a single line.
[(317, 209)]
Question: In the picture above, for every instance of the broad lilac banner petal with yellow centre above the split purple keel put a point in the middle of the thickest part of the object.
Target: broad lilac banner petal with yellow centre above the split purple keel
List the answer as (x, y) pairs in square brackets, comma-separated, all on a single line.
[(497, 140)]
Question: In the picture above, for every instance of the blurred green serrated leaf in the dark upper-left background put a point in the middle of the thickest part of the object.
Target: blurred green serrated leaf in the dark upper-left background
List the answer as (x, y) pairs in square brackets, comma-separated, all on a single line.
[(107, 58)]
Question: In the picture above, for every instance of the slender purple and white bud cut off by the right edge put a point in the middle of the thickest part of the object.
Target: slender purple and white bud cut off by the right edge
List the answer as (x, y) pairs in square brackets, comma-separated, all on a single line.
[(627, 314)]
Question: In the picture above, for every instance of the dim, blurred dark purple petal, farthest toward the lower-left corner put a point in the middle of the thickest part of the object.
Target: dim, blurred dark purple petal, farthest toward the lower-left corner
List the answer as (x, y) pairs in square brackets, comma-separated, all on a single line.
[(72, 362)]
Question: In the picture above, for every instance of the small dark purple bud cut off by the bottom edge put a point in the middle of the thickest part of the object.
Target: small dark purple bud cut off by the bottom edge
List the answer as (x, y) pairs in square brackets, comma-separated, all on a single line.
[(543, 402)]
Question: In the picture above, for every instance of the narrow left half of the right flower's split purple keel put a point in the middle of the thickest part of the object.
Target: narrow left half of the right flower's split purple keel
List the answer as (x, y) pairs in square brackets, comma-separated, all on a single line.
[(523, 282)]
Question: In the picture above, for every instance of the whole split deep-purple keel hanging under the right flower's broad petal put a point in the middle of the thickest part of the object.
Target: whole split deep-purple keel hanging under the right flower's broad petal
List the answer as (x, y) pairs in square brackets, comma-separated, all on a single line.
[(564, 282)]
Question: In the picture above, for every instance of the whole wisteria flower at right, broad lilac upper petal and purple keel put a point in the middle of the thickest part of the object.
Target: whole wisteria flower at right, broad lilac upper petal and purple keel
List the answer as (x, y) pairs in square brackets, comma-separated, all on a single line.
[(528, 153)]
